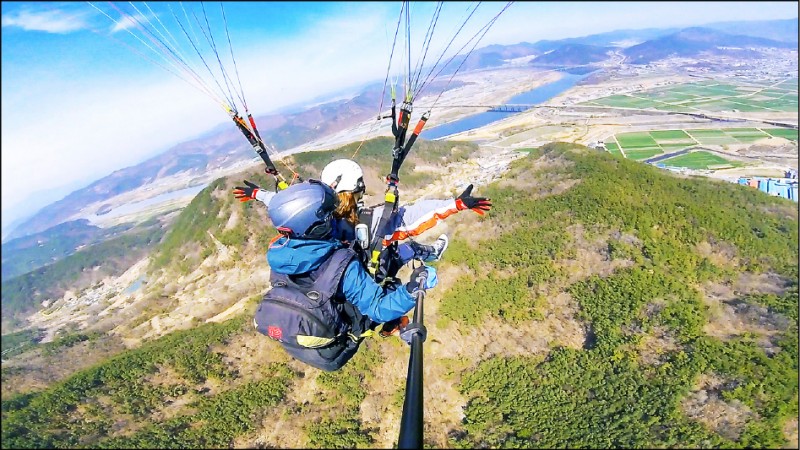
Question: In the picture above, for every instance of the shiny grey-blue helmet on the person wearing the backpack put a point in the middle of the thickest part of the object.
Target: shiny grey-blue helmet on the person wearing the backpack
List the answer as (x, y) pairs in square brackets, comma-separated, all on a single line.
[(304, 210)]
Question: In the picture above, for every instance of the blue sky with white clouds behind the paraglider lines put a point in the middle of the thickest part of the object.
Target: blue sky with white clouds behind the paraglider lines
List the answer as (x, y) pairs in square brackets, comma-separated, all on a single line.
[(80, 101)]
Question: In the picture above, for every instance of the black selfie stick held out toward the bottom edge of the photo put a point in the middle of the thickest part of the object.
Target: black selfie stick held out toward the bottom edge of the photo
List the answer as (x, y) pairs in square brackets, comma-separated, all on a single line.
[(411, 421)]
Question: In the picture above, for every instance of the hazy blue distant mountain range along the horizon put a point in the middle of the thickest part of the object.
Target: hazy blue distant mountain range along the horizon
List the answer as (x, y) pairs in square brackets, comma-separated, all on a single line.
[(288, 130)]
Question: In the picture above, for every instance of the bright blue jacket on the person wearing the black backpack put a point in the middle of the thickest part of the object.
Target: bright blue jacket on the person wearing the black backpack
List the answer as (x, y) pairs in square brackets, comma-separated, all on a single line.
[(296, 256)]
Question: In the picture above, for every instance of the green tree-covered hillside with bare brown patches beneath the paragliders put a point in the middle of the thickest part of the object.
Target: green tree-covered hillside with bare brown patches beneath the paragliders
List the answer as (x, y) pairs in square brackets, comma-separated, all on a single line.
[(601, 303)]
